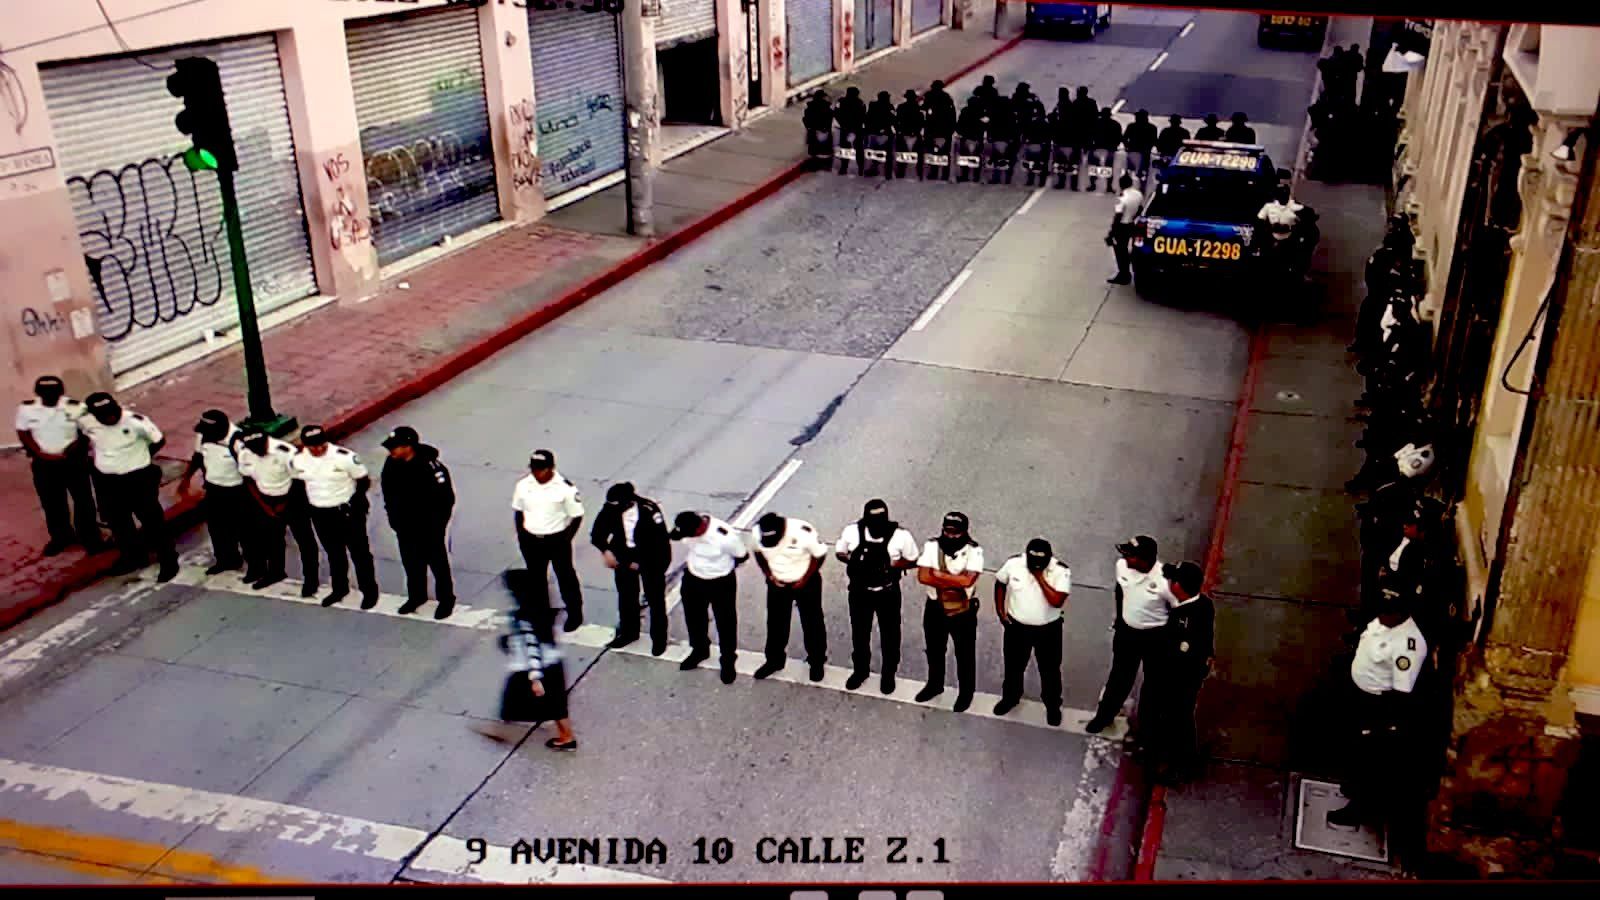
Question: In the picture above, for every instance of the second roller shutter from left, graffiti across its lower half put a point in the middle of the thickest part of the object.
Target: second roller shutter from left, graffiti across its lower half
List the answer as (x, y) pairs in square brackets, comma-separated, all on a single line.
[(425, 124)]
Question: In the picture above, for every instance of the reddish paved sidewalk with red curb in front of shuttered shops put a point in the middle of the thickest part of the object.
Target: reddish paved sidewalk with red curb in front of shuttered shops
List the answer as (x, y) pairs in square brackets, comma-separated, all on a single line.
[(348, 364)]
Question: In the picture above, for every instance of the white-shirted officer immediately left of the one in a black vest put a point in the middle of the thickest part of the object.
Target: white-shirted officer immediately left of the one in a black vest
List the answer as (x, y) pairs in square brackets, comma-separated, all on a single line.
[(791, 553)]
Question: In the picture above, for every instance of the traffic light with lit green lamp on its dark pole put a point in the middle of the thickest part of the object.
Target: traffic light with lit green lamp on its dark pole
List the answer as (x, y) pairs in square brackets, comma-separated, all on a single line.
[(204, 118)]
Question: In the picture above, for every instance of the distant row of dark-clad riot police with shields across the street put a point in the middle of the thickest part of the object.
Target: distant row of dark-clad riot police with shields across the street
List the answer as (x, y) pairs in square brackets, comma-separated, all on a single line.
[(1002, 129)]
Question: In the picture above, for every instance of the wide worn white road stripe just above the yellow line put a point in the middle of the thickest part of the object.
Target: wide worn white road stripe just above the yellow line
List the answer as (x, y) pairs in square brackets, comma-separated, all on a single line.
[(234, 814)]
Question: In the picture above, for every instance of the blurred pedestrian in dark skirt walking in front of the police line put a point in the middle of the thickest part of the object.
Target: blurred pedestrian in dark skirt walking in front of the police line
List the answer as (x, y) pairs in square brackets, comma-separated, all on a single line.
[(537, 688)]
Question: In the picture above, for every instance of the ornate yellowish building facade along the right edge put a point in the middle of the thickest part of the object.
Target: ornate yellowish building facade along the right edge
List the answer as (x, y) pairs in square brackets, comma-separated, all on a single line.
[(1497, 163)]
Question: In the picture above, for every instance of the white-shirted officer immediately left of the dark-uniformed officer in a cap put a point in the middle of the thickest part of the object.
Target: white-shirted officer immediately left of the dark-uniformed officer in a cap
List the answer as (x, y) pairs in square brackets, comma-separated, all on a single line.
[(337, 484)]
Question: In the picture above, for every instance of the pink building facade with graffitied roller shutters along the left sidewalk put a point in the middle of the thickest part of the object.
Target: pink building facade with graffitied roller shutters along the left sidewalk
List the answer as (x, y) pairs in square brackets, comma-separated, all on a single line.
[(370, 134)]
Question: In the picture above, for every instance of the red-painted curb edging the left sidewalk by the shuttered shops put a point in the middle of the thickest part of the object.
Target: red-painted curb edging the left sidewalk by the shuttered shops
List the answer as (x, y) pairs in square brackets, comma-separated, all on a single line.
[(186, 515)]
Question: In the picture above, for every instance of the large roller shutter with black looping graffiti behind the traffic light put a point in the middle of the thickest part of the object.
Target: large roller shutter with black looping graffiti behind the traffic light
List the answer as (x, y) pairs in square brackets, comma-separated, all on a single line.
[(151, 231)]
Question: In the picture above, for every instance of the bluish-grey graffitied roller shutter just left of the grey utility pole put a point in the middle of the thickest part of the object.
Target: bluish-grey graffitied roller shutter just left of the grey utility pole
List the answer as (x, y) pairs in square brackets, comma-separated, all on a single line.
[(577, 97)]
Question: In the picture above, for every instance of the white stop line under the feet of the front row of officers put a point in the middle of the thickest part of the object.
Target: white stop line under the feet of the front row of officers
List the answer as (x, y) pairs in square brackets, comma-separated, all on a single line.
[(599, 637)]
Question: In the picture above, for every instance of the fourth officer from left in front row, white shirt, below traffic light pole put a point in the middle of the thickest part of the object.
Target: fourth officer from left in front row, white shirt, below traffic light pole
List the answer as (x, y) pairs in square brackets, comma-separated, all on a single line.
[(278, 505)]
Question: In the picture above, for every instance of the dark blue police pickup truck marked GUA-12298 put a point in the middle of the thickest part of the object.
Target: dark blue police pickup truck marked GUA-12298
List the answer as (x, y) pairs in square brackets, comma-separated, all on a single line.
[(1202, 212)]
